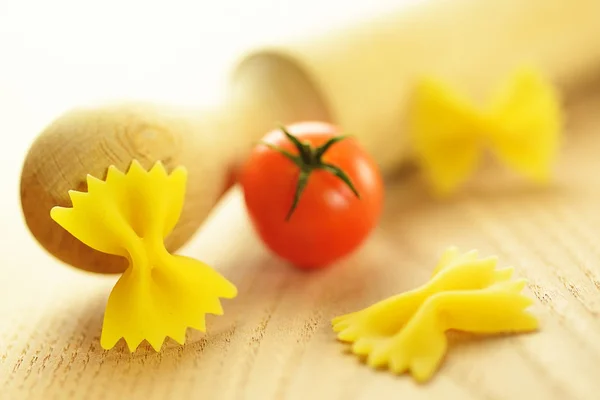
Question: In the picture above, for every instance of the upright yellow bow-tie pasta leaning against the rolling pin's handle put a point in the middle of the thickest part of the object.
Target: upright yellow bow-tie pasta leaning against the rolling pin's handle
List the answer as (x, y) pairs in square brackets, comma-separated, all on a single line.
[(159, 294)]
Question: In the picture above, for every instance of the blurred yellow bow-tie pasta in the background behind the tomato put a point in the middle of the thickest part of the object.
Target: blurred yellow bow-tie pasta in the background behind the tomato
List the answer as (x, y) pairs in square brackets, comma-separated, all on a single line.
[(521, 126)]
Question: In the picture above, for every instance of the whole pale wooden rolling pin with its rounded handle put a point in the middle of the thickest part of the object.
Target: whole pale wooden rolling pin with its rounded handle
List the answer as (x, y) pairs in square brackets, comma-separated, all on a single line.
[(359, 78)]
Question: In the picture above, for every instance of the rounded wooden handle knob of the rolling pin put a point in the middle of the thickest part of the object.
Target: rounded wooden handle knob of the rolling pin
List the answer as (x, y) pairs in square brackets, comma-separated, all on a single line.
[(88, 140)]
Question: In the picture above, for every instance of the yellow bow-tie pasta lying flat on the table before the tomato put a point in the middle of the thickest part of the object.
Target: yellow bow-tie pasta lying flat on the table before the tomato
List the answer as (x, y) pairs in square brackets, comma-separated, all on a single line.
[(407, 332)]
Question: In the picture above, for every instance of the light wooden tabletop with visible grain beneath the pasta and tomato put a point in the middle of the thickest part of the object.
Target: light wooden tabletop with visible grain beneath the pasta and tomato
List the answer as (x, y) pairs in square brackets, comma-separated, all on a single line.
[(275, 339)]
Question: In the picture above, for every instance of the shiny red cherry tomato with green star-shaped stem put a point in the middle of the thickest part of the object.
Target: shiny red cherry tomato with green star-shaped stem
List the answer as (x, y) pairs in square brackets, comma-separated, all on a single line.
[(330, 219)]
